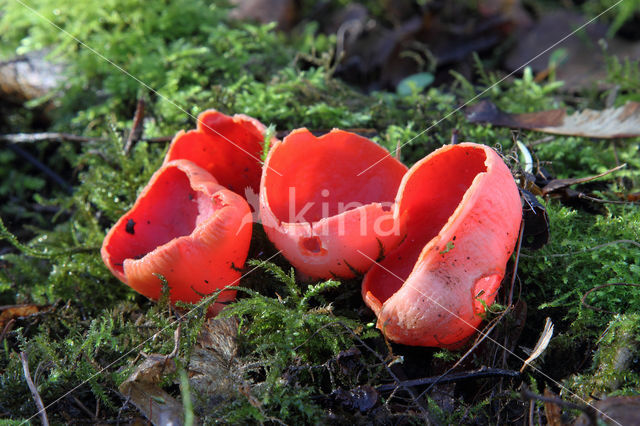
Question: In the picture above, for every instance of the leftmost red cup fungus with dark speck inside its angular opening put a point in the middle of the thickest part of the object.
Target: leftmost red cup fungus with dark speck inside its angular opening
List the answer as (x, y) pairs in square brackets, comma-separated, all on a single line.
[(185, 227)]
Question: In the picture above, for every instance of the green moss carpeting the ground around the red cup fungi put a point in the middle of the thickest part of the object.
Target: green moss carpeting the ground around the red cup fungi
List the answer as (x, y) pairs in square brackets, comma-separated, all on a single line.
[(196, 59)]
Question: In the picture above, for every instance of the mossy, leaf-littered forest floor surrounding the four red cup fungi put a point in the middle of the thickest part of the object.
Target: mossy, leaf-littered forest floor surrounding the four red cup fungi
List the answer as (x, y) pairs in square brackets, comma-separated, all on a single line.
[(92, 93)]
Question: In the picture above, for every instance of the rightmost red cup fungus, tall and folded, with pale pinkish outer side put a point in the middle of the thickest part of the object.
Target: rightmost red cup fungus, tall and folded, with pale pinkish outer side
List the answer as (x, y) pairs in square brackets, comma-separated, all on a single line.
[(462, 212)]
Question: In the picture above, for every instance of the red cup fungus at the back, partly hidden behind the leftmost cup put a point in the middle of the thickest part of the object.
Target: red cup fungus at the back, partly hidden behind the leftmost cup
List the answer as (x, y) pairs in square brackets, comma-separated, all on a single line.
[(227, 147)]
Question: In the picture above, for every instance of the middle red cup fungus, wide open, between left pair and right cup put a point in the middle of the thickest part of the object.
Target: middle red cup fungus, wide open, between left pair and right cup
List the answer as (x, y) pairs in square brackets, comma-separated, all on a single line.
[(318, 207)]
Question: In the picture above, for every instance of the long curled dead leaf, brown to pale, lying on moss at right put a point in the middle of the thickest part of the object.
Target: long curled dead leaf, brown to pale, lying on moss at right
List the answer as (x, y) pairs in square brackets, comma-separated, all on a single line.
[(621, 122)]
